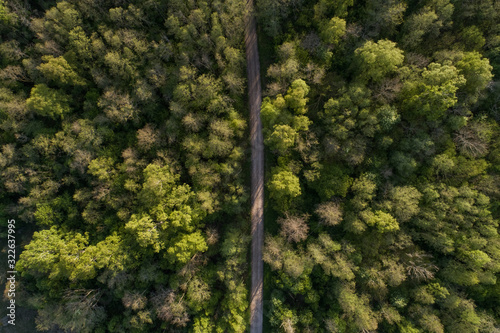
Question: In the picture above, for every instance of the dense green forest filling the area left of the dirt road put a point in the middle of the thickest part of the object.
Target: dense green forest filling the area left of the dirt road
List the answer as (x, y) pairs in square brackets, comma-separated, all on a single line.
[(130, 246)]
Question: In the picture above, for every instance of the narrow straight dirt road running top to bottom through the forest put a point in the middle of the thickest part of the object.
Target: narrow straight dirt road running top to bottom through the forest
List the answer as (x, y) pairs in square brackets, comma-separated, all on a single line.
[(257, 145)]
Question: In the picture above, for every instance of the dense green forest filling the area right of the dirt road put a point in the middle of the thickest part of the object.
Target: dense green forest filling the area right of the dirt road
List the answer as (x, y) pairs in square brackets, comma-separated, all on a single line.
[(395, 167)]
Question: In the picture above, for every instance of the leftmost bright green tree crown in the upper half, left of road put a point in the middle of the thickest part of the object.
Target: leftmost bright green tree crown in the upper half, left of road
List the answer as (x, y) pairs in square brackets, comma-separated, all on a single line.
[(48, 102)]
